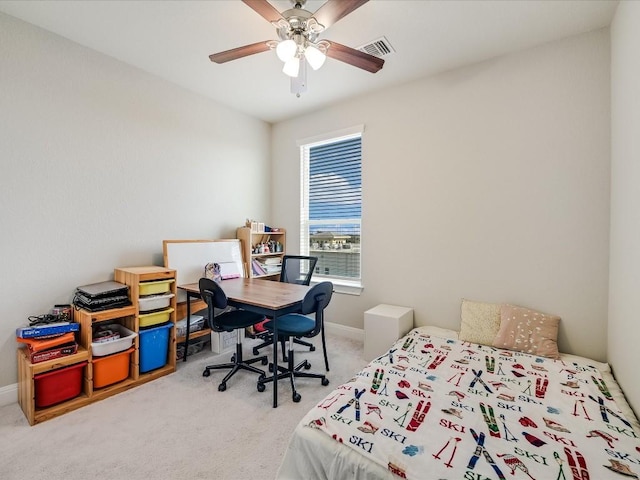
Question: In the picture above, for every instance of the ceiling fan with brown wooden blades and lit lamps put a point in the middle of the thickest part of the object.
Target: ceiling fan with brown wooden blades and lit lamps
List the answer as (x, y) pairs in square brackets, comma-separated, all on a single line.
[(298, 44)]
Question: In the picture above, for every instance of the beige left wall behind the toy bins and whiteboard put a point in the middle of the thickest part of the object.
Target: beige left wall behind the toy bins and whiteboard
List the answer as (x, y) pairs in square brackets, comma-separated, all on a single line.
[(99, 162)]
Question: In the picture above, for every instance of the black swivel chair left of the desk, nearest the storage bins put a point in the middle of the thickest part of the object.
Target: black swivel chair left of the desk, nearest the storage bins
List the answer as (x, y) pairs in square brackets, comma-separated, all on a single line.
[(228, 321)]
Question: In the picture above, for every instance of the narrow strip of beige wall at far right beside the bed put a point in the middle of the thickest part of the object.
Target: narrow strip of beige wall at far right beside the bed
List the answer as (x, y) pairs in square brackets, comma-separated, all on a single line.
[(624, 329)]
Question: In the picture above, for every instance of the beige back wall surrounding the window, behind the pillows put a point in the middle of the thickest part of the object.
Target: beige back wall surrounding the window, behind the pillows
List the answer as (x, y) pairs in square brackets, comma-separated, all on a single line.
[(490, 182)]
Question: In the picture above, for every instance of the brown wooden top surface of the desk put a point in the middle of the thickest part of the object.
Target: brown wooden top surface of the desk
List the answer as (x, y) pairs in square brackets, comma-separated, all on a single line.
[(261, 293)]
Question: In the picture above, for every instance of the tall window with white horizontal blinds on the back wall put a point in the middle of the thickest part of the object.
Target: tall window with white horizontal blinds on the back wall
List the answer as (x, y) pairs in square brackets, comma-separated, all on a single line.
[(331, 206)]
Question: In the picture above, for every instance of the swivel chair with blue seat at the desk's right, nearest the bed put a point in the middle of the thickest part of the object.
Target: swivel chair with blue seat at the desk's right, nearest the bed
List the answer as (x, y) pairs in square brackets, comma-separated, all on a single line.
[(295, 325)]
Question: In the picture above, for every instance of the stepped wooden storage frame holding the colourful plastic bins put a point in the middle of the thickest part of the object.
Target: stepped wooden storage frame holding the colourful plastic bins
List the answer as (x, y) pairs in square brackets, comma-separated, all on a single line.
[(127, 317)]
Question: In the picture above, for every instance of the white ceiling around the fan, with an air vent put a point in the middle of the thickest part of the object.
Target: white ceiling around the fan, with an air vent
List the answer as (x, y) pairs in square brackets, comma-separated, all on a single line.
[(173, 39)]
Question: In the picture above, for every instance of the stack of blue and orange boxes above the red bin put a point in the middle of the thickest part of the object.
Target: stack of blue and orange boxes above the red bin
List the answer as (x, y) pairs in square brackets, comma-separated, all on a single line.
[(48, 341)]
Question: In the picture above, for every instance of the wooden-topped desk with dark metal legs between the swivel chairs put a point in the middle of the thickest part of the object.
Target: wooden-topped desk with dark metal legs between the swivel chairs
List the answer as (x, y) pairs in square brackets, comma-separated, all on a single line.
[(269, 298)]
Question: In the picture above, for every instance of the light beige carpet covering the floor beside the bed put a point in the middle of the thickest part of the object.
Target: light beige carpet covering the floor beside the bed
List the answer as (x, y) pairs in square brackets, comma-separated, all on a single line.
[(177, 427)]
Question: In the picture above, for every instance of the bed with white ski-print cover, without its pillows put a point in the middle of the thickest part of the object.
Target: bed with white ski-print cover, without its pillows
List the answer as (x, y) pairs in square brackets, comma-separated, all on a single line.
[(436, 406)]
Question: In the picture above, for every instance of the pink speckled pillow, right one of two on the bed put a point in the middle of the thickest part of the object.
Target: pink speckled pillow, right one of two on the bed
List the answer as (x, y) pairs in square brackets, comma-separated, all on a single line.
[(528, 331)]
